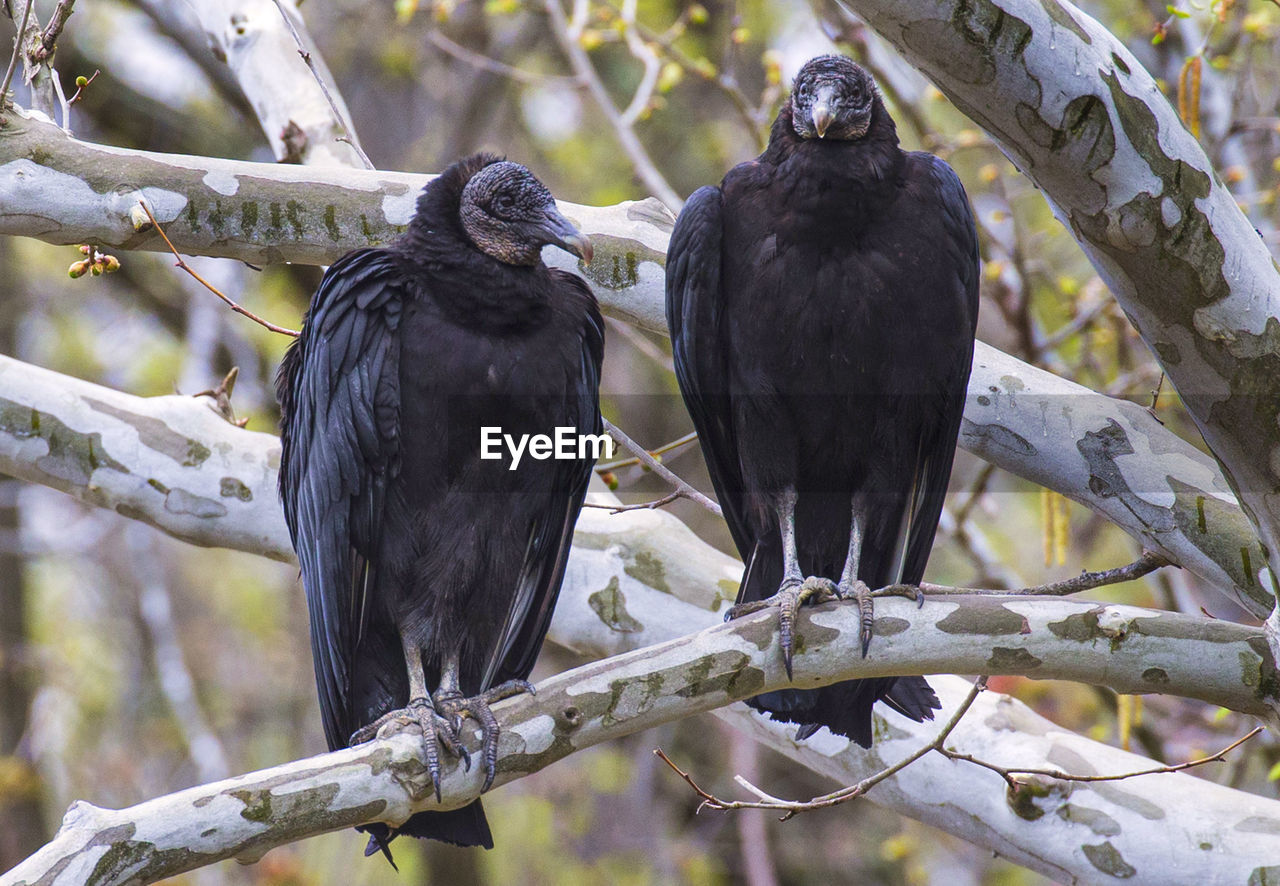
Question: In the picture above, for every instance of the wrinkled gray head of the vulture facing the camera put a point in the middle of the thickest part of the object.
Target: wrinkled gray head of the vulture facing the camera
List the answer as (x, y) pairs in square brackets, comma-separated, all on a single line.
[(833, 99)]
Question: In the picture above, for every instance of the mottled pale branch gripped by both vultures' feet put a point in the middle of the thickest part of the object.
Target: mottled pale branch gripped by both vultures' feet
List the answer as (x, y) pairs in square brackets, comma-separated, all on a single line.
[(621, 696)]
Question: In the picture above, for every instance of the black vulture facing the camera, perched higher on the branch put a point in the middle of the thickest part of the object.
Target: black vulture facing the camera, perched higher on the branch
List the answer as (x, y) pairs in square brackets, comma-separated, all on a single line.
[(822, 305)]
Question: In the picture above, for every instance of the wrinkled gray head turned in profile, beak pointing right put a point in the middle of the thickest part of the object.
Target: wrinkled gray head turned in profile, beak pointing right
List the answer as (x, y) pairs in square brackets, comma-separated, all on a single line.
[(511, 216)]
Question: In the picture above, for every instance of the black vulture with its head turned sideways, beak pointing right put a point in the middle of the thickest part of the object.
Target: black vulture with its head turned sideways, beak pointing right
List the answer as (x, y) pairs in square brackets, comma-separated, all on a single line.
[(426, 567)]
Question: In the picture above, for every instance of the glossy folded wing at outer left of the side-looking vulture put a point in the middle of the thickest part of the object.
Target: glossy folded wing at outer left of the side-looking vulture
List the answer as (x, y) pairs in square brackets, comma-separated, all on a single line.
[(339, 391)]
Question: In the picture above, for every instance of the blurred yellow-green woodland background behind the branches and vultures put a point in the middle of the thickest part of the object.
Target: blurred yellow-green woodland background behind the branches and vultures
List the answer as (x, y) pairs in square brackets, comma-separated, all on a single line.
[(132, 665)]
